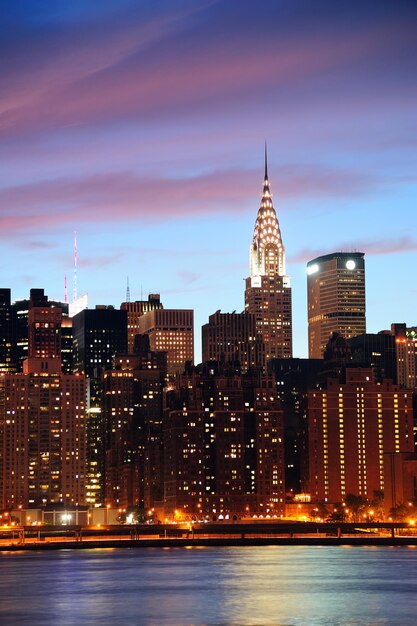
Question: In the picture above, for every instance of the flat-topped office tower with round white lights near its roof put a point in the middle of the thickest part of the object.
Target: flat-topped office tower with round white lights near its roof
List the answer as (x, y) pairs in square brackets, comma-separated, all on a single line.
[(336, 298)]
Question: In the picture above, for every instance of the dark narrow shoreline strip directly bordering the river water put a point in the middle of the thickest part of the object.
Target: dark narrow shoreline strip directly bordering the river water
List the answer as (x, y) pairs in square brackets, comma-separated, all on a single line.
[(201, 542)]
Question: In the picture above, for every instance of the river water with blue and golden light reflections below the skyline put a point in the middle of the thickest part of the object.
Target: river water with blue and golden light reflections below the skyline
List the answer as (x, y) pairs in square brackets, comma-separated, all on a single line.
[(247, 586)]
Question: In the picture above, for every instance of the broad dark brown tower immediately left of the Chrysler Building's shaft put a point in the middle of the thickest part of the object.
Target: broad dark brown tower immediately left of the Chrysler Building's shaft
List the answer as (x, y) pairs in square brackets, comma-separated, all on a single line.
[(232, 338)]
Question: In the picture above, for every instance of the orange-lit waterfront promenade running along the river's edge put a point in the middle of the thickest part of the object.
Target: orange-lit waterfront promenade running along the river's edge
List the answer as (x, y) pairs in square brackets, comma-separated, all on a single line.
[(212, 534)]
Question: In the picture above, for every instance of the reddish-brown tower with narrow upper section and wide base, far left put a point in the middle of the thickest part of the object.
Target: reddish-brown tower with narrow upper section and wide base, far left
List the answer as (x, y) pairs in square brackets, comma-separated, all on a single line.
[(42, 420)]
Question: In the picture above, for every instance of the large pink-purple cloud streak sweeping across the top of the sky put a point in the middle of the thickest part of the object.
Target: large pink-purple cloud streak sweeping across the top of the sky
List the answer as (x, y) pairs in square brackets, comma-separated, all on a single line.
[(131, 73)]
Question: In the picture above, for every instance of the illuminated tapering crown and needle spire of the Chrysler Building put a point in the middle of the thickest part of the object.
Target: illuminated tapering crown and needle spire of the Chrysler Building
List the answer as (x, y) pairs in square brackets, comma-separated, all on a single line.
[(267, 252)]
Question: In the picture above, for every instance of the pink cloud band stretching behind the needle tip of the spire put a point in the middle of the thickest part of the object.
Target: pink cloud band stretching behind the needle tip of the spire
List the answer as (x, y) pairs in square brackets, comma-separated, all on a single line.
[(108, 198)]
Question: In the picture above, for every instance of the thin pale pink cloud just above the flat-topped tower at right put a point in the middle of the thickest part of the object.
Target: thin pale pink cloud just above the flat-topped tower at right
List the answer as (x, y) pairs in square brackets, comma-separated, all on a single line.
[(369, 247)]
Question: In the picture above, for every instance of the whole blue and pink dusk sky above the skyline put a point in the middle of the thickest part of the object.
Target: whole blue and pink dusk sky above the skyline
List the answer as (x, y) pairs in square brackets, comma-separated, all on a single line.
[(141, 126)]
